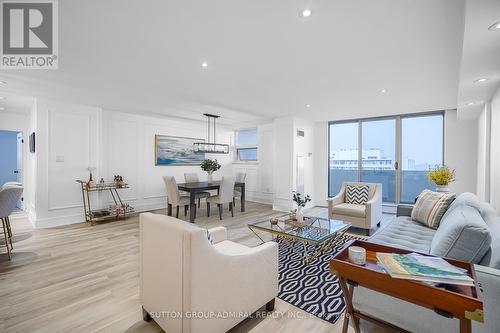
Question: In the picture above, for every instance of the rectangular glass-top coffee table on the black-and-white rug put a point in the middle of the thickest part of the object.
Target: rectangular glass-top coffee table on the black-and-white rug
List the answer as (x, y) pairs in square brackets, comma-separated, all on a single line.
[(321, 233)]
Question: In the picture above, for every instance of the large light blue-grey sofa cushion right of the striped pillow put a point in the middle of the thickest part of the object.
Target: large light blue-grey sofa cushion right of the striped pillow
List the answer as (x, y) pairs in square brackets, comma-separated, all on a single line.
[(463, 235)]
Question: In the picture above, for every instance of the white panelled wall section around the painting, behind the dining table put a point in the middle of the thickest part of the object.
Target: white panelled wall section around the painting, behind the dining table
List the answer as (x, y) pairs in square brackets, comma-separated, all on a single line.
[(128, 150)]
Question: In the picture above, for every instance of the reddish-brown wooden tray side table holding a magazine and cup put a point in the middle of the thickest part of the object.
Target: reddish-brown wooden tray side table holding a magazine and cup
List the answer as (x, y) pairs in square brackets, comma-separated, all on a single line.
[(461, 302)]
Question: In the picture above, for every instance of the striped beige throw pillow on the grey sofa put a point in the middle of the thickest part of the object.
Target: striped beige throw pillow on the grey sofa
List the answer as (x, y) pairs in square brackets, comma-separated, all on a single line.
[(430, 207)]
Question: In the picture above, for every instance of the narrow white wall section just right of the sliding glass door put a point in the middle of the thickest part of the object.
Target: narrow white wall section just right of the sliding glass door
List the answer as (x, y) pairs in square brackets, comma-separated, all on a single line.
[(460, 151)]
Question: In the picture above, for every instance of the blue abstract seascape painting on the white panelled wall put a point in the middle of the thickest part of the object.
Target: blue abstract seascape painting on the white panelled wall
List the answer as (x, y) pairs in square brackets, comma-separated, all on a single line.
[(175, 150)]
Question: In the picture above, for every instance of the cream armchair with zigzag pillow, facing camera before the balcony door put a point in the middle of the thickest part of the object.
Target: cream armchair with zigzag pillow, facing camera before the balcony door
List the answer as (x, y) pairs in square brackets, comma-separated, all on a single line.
[(364, 216)]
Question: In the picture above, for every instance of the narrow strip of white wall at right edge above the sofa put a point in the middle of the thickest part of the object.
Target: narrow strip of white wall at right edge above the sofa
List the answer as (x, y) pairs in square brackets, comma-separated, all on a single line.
[(495, 152)]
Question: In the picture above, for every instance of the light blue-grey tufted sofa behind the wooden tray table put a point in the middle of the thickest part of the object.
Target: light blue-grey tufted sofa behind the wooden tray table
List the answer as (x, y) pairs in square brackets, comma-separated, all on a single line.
[(469, 231)]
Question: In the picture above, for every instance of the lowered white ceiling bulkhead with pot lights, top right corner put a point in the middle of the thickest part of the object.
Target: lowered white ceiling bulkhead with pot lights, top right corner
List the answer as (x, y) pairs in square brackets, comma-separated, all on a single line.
[(481, 56)]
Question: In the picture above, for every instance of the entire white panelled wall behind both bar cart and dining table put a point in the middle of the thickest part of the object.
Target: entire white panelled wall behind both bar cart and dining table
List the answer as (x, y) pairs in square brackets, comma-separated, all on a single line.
[(72, 137)]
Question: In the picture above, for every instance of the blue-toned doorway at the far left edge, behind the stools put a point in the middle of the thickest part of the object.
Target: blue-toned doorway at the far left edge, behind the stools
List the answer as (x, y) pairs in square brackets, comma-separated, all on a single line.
[(11, 161)]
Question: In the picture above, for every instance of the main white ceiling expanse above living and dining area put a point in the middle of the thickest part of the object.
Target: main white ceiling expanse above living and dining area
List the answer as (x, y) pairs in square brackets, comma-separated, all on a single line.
[(264, 61)]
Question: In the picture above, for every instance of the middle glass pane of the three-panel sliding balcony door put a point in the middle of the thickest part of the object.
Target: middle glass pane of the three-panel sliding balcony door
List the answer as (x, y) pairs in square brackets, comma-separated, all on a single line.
[(379, 155)]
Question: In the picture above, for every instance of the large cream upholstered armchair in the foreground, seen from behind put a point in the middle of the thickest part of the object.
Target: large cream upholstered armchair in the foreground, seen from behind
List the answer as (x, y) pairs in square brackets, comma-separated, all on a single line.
[(191, 286)]
